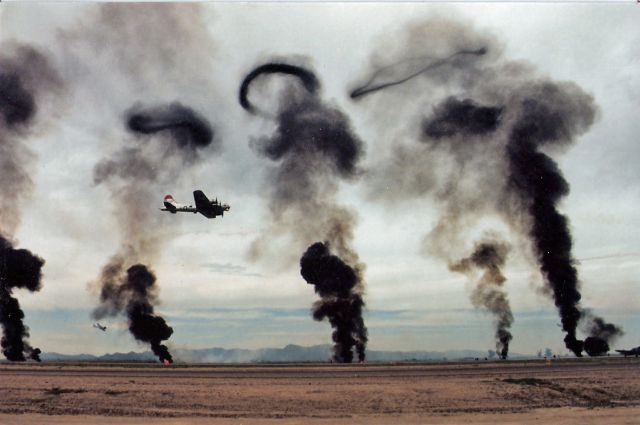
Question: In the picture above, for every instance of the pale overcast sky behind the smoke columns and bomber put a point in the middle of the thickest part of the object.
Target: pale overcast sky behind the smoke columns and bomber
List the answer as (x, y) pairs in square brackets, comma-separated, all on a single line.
[(210, 292)]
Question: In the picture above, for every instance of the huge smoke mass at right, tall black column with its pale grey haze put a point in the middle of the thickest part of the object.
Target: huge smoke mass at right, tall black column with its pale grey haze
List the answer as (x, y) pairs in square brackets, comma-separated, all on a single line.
[(490, 155)]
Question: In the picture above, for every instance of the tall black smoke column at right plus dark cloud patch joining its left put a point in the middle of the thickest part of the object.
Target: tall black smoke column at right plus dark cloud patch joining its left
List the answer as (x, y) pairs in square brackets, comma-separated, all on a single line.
[(541, 114)]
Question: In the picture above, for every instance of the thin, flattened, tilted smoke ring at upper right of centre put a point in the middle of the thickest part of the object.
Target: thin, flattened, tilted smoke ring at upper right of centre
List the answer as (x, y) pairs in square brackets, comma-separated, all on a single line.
[(405, 70)]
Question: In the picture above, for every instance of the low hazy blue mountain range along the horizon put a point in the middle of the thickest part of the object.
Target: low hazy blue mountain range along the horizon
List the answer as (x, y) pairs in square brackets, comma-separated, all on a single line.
[(290, 353)]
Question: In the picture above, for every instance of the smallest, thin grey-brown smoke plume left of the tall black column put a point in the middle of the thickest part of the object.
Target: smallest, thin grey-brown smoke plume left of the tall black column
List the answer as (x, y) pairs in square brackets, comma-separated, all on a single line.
[(489, 255)]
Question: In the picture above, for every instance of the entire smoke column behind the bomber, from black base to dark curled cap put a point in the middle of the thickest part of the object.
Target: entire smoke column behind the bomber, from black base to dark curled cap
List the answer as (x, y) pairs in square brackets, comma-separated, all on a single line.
[(126, 285)]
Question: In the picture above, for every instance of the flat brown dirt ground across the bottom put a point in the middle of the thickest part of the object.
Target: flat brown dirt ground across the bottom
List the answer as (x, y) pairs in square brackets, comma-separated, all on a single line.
[(568, 391)]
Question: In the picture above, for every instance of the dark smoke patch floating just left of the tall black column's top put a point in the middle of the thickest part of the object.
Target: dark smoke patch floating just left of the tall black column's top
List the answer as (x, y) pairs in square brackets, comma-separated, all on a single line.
[(464, 117)]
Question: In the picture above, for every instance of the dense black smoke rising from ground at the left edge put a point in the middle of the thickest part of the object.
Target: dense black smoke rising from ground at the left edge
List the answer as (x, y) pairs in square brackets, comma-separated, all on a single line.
[(19, 268)]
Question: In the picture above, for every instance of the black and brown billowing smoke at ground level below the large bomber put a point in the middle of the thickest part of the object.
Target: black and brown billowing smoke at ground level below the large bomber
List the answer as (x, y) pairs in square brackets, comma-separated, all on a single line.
[(134, 293)]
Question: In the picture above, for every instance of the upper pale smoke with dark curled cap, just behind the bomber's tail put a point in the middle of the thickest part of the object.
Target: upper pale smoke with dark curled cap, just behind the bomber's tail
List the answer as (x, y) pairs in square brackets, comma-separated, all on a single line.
[(134, 172)]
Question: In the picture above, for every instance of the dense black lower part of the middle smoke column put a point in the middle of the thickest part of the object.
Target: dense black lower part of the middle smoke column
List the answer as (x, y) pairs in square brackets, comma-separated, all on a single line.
[(339, 287)]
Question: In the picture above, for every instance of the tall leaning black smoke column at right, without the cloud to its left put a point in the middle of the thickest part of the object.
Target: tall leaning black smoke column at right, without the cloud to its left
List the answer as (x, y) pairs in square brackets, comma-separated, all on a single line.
[(550, 114)]
